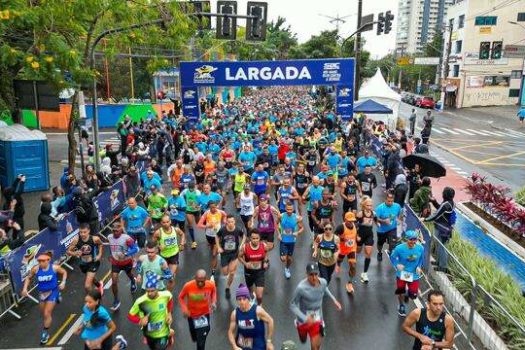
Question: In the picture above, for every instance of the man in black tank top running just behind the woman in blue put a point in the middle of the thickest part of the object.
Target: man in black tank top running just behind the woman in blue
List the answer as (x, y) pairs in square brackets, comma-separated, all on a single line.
[(89, 249)]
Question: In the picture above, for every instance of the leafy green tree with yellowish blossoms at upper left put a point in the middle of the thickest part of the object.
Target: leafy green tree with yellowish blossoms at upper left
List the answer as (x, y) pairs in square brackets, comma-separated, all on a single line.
[(46, 39)]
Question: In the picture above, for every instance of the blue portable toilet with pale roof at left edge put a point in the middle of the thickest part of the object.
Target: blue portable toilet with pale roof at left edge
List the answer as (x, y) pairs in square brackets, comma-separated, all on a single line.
[(24, 151)]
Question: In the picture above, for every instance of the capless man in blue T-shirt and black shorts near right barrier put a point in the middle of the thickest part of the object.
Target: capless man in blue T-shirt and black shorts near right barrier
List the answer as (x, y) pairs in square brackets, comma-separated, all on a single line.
[(387, 215)]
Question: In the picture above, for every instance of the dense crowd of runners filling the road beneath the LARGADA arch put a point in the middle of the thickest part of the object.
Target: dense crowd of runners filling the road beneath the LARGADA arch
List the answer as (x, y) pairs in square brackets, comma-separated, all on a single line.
[(251, 176)]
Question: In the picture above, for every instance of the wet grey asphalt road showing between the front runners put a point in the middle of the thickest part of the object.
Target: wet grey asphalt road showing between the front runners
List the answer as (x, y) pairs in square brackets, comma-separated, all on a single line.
[(369, 318)]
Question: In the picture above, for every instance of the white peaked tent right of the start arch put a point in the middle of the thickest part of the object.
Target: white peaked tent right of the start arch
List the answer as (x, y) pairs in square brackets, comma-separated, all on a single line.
[(378, 90)]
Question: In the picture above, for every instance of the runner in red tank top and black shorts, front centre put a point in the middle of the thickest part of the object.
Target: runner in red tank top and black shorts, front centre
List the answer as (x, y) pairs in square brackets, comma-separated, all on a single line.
[(253, 256)]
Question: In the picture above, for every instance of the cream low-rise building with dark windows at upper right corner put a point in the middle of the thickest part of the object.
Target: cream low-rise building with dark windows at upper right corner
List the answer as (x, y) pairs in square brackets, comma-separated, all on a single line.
[(487, 52)]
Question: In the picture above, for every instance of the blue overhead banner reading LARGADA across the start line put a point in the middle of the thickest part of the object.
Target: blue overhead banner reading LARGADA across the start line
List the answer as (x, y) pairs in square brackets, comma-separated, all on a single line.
[(332, 71)]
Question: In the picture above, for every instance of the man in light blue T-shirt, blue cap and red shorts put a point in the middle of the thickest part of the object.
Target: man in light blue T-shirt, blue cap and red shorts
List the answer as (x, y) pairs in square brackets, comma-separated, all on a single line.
[(407, 259)]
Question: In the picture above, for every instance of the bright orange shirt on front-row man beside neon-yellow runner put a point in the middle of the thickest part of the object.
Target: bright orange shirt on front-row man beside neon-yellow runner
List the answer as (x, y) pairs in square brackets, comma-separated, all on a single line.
[(197, 300)]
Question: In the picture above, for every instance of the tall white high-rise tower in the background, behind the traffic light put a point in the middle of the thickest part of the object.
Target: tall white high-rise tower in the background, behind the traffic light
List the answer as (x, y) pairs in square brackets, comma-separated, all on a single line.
[(417, 22)]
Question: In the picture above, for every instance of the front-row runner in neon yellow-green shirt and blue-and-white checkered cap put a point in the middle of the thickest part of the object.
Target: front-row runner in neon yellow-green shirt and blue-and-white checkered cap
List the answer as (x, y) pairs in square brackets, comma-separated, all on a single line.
[(153, 313)]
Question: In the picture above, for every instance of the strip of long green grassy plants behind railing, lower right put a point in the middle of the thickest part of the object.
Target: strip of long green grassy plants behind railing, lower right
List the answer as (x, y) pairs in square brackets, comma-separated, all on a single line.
[(497, 283)]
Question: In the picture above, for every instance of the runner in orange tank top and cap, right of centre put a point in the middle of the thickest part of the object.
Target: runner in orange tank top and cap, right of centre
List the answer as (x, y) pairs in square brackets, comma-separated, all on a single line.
[(347, 233)]
